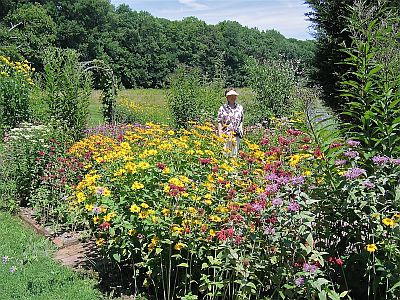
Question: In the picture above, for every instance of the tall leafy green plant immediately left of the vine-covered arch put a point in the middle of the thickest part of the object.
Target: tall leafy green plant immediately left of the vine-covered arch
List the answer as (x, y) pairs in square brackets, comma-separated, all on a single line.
[(67, 89)]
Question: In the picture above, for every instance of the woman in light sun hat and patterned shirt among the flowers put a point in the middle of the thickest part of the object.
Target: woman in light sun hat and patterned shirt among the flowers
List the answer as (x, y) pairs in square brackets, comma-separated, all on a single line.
[(230, 122)]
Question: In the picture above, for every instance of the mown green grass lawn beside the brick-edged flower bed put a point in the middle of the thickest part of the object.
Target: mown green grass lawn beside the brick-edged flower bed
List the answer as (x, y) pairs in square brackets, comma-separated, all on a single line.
[(27, 270)]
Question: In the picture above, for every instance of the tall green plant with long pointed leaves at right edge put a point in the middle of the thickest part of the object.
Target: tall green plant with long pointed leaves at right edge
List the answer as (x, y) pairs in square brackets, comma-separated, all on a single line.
[(373, 87)]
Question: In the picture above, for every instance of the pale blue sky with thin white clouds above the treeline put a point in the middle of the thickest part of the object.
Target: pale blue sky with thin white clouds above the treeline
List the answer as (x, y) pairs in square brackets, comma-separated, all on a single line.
[(286, 16)]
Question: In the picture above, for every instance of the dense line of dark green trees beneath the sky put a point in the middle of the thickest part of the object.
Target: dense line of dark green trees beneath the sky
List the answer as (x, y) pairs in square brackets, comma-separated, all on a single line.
[(142, 49)]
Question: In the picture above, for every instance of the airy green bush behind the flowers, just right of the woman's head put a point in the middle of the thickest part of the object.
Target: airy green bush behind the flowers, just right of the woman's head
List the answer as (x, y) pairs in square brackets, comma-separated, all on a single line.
[(274, 83)]
